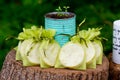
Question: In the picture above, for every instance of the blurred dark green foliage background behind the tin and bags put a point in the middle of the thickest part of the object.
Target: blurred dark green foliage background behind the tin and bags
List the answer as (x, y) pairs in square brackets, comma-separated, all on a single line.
[(16, 14)]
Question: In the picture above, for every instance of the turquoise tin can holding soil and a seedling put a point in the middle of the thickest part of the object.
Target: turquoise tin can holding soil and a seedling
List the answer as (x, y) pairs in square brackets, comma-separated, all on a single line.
[(63, 27)]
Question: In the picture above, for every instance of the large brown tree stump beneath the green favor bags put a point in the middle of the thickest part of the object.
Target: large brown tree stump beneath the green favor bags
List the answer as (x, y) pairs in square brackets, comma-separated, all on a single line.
[(14, 70)]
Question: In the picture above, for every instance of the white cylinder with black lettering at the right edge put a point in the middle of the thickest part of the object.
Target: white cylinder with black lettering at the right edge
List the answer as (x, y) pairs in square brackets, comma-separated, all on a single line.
[(116, 42)]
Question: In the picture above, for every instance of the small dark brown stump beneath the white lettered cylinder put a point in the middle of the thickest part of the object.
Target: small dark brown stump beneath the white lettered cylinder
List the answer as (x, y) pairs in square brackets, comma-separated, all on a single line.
[(114, 69)]
